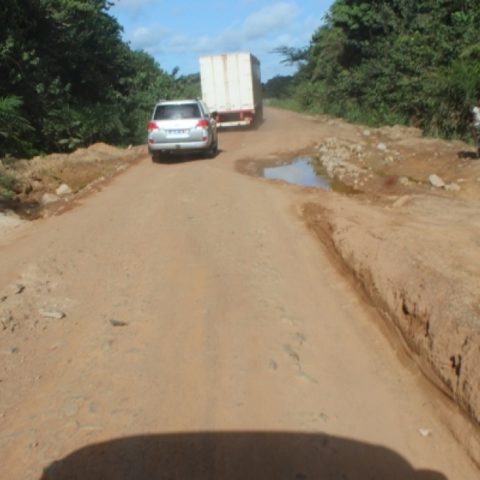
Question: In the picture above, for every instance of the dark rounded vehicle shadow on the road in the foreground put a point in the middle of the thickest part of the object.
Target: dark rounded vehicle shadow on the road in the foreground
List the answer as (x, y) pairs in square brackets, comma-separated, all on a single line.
[(235, 456)]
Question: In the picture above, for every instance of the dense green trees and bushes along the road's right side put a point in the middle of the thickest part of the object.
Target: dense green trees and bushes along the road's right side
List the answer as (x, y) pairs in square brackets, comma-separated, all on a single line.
[(410, 62)]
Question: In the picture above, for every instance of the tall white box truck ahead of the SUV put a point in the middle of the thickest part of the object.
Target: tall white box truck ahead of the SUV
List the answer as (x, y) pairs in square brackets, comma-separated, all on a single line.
[(232, 89)]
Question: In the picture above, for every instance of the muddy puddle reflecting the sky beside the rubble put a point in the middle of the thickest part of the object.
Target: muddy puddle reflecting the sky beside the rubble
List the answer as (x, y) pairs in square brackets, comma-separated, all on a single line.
[(299, 172)]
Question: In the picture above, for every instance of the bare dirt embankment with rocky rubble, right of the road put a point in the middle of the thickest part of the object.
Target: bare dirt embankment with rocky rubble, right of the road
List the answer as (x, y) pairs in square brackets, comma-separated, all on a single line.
[(412, 244)]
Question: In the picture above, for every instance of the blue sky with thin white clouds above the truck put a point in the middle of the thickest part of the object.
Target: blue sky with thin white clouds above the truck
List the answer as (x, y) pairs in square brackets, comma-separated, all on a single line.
[(177, 32)]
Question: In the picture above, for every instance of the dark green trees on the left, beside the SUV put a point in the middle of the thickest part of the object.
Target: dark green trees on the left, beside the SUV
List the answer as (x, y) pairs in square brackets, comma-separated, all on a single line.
[(67, 78)]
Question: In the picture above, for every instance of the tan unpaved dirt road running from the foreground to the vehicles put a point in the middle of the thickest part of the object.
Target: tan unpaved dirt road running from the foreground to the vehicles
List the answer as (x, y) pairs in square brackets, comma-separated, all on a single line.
[(184, 324)]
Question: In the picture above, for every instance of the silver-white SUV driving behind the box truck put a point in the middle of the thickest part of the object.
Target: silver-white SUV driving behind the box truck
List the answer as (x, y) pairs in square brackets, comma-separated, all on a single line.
[(182, 126)]
